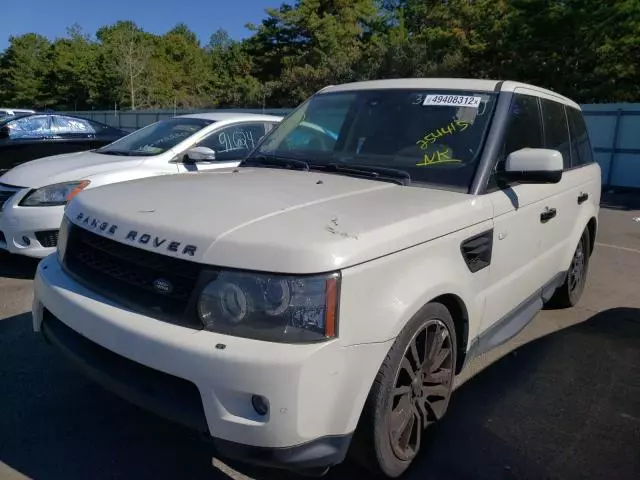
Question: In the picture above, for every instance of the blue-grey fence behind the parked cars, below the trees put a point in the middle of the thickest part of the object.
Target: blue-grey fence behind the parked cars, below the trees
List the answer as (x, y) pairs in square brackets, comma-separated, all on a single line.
[(614, 130)]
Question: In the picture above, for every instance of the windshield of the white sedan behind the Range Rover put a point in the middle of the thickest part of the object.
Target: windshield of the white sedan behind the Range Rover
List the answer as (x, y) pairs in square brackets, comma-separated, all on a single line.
[(156, 138)]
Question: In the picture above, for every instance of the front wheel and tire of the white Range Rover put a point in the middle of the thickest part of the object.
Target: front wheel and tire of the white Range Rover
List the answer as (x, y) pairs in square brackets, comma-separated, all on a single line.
[(395, 400)]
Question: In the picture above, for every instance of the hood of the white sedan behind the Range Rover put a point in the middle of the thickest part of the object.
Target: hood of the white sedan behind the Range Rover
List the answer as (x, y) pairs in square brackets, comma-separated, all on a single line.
[(66, 167)]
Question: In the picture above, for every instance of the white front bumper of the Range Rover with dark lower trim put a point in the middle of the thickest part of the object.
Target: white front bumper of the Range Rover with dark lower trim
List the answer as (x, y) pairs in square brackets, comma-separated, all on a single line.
[(315, 392)]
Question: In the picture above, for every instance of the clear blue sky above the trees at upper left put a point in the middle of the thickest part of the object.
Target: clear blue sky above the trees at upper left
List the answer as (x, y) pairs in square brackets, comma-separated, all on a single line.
[(52, 17)]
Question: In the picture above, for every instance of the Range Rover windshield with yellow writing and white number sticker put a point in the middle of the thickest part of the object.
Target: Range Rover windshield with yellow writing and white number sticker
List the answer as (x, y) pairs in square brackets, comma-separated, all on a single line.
[(432, 137)]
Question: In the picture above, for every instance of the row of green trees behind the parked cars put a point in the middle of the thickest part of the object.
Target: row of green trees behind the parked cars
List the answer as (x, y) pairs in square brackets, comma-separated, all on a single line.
[(586, 49)]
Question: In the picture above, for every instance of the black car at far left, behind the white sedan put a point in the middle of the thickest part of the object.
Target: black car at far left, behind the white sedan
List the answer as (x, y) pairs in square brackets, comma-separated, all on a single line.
[(27, 136)]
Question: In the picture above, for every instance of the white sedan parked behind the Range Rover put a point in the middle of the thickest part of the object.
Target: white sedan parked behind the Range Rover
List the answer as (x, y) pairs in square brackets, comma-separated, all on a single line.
[(33, 195)]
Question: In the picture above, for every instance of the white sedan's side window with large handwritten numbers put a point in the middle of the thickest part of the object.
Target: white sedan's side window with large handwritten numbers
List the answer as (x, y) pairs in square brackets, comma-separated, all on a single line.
[(234, 142)]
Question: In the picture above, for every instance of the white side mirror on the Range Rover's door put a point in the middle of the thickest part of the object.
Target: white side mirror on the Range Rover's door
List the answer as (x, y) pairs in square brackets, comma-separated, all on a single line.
[(534, 165)]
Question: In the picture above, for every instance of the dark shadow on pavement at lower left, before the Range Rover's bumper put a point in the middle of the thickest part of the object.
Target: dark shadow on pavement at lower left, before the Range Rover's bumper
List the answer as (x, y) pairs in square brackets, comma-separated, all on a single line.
[(55, 424)]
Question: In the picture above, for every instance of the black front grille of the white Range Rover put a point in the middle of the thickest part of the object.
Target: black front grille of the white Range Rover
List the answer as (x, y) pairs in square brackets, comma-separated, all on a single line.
[(127, 274)]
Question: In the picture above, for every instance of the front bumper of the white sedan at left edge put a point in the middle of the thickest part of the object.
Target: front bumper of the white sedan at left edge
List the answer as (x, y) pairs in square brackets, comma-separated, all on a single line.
[(30, 231)]
